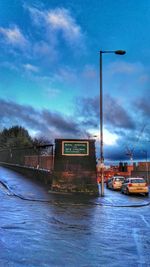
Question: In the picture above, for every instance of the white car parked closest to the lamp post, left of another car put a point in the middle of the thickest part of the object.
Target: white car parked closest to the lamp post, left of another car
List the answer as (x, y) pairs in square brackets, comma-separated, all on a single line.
[(115, 182)]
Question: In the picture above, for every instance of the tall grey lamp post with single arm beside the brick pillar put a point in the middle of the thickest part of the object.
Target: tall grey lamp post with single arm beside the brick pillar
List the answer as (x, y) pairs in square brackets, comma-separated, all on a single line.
[(117, 52)]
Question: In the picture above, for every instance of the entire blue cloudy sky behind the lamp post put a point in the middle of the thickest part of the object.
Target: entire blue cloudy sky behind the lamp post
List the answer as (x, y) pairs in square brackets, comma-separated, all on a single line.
[(49, 71)]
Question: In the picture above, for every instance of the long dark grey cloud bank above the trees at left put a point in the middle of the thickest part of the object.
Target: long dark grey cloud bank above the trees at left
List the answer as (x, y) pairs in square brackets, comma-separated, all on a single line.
[(46, 123)]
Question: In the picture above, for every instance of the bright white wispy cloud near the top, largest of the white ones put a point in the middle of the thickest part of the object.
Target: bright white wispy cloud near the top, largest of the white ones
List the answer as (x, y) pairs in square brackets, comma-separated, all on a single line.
[(57, 23)]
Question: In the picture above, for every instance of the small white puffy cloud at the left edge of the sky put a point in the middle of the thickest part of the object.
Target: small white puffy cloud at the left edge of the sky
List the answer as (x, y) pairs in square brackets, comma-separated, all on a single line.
[(13, 36)]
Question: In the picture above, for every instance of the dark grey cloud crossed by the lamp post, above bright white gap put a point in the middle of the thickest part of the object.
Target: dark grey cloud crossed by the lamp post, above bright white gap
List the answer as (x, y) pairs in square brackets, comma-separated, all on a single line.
[(114, 114)]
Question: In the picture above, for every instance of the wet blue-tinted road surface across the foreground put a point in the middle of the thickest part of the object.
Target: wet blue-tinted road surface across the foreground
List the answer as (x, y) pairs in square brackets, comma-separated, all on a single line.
[(42, 229)]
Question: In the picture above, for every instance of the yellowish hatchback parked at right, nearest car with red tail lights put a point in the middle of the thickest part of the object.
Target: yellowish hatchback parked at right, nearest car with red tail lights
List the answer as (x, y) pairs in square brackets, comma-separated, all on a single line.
[(135, 186)]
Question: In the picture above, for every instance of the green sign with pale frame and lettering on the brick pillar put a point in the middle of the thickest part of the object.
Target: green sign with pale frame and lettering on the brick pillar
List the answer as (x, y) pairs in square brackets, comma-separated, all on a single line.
[(75, 148)]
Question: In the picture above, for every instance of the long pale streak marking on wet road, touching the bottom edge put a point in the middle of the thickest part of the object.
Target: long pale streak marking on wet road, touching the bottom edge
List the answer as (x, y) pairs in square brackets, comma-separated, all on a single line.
[(139, 247)]
